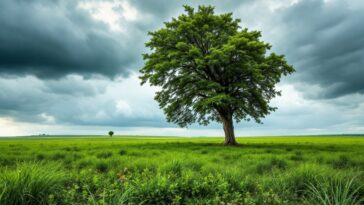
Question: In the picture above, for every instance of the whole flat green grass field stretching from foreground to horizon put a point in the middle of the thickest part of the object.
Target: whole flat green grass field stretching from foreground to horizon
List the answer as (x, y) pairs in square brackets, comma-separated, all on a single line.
[(162, 170)]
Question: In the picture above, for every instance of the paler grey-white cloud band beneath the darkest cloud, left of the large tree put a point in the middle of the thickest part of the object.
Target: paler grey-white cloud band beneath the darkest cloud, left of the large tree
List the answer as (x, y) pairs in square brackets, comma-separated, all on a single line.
[(74, 100)]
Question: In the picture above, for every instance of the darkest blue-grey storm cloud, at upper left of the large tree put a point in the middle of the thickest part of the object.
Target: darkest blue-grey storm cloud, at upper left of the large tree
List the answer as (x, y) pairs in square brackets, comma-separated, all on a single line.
[(50, 39)]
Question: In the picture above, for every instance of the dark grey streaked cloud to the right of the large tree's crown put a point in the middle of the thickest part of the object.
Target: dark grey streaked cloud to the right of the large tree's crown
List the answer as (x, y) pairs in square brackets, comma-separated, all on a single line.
[(324, 40)]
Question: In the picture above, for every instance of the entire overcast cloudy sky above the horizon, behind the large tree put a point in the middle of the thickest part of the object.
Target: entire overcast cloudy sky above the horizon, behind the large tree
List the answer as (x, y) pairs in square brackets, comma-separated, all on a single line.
[(71, 67)]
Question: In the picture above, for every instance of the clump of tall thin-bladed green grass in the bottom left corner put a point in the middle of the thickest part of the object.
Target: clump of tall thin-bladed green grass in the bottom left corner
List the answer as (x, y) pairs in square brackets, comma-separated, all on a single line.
[(29, 184)]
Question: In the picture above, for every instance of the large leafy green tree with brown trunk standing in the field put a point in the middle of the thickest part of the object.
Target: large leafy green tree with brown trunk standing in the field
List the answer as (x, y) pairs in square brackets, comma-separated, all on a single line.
[(210, 69)]
